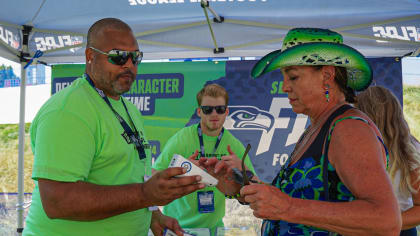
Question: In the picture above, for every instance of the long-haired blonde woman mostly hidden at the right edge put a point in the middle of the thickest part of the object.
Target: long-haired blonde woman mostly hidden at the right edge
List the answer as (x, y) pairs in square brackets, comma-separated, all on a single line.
[(385, 110)]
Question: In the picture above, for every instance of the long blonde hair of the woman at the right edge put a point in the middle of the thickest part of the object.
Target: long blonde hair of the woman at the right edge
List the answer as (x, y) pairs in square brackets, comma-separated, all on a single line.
[(385, 110)]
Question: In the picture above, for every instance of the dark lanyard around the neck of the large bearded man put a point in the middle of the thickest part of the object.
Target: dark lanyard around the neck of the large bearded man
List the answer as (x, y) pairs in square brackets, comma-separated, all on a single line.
[(128, 135)]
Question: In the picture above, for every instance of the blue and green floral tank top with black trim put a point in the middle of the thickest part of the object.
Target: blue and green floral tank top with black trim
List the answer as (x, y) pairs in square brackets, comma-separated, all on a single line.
[(307, 179)]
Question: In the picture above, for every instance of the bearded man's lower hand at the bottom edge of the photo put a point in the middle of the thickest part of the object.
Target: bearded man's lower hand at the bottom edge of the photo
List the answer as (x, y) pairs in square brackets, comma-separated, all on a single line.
[(160, 222)]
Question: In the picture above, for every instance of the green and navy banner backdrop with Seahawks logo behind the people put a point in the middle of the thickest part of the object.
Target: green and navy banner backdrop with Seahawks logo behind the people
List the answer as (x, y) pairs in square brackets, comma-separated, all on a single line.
[(260, 113)]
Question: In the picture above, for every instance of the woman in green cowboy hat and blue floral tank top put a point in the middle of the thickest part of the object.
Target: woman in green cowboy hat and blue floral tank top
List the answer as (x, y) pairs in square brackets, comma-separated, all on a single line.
[(335, 181)]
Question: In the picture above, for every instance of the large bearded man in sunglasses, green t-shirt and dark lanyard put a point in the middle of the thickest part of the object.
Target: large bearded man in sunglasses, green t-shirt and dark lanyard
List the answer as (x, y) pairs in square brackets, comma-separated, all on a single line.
[(92, 162)]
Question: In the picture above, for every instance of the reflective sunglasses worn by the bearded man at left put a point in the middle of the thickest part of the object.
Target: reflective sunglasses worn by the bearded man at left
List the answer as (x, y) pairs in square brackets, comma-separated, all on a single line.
[(120, 57)]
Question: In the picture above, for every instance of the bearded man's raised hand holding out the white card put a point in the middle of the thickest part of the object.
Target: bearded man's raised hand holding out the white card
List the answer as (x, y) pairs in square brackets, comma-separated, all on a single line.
[(163, 187)]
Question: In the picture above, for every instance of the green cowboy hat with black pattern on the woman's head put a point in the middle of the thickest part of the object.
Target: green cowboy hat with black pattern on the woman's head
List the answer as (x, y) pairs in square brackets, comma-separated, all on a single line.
[(315, 47)]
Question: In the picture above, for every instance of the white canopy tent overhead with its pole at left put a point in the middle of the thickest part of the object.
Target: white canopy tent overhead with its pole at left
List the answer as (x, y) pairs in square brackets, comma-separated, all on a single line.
[(180, 29)]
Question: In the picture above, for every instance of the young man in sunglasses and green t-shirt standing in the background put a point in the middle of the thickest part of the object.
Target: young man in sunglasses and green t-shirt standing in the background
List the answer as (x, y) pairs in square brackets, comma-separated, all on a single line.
[(204, 208)]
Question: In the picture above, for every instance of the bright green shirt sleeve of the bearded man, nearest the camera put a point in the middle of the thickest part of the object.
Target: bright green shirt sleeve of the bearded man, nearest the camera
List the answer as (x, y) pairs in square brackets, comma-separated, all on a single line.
[(64, 147)]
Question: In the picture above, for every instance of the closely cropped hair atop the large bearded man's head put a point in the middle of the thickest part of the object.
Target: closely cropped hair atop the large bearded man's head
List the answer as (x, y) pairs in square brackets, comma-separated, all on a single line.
[(96, 30)]
